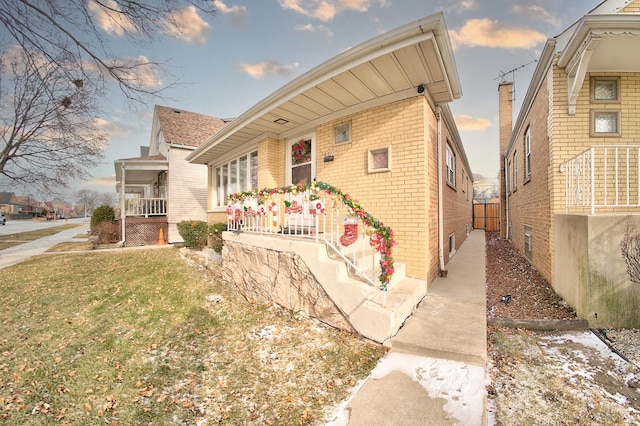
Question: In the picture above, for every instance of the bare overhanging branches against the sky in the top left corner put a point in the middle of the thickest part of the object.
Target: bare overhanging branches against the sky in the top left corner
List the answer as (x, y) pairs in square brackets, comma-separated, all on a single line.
[(76, 30)]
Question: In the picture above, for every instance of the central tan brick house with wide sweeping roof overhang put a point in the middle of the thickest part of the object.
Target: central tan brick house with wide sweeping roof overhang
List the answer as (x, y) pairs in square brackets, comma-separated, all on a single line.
[(373, 121)]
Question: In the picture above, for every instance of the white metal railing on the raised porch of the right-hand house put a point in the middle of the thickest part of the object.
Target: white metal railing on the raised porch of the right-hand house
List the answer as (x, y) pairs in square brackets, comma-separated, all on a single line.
[(603, 178)]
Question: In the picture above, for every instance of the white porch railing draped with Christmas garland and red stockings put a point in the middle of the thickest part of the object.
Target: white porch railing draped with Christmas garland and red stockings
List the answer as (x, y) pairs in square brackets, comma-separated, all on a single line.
[(320, 212)]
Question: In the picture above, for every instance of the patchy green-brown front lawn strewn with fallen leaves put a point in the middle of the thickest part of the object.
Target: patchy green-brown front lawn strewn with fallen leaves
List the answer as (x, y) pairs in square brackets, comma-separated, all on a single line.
[(144, 337)]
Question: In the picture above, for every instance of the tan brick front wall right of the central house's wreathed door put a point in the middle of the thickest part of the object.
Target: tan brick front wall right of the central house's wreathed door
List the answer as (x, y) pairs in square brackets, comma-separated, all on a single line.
[(397, 197)]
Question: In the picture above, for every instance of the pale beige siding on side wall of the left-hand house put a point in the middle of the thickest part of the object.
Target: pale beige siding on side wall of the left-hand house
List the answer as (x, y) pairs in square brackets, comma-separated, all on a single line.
[(187, 191)]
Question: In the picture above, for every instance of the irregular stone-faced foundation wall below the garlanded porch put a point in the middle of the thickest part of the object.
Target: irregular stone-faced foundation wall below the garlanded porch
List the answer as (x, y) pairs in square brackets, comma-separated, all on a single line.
[(280, 277)]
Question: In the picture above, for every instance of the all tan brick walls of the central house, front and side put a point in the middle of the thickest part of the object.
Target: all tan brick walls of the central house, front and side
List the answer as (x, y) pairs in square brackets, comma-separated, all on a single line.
[(404, 198)]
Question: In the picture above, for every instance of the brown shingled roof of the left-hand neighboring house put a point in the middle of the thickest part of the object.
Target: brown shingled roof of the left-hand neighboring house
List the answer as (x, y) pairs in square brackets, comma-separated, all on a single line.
[(187, 128)]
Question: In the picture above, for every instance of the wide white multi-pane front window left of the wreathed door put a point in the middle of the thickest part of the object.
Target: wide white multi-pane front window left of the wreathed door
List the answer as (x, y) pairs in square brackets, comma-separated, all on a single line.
[(239, 174)]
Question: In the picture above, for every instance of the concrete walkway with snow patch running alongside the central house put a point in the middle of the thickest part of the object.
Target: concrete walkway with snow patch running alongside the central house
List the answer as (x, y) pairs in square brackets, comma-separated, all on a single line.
[(434, 373)]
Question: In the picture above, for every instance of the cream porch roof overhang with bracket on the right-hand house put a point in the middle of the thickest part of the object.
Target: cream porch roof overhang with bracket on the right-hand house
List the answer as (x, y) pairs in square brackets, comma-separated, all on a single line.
[(600, 43)]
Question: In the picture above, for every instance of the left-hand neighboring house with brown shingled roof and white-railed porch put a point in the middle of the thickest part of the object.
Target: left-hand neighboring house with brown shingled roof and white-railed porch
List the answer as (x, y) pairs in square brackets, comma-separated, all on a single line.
[(160, 189)]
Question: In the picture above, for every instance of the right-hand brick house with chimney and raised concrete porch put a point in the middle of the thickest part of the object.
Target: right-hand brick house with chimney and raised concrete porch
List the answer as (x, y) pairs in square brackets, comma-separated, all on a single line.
[(569, 164)]
